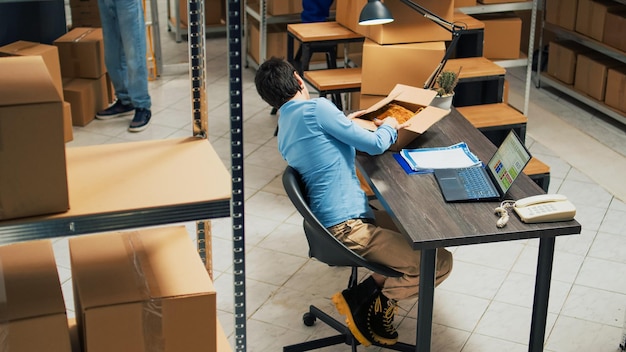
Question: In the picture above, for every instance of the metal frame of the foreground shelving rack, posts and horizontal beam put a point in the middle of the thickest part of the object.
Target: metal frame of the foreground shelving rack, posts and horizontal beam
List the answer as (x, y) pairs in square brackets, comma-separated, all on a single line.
[(234, 207)]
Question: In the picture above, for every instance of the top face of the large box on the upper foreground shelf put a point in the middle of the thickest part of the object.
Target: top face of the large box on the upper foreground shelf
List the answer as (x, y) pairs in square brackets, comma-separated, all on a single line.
[(26, 80)]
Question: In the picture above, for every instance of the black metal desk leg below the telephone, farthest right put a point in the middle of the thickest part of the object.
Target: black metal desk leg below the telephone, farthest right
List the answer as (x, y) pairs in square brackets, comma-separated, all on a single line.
[(542, 294)]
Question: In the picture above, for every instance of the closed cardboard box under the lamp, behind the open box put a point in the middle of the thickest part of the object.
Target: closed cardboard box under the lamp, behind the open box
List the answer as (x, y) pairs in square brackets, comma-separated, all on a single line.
[(386, 65)]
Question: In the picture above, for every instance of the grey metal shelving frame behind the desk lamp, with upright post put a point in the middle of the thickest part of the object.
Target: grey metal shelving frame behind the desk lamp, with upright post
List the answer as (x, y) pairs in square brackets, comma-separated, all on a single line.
[(514, 6)]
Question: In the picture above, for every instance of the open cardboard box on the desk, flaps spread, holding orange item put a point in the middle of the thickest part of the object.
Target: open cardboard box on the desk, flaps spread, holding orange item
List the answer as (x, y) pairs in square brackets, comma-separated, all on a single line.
[(415, 99)]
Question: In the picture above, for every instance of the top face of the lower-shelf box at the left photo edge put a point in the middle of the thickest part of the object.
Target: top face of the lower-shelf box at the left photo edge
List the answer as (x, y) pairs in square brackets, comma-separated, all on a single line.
[(31, 282)]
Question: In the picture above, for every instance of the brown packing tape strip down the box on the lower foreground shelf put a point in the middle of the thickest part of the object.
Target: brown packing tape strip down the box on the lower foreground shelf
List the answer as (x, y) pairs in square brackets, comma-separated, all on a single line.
[(152, 309)]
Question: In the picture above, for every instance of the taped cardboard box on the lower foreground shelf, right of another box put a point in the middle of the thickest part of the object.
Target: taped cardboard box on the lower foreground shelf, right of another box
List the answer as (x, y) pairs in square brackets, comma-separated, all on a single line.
[(143, 290)]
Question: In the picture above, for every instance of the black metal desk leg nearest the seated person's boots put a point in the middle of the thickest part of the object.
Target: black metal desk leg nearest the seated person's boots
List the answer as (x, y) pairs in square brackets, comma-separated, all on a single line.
[(426, 299)]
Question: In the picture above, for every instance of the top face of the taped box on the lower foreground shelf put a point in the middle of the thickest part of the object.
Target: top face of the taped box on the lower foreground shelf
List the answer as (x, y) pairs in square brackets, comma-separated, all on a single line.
[(125, 267)]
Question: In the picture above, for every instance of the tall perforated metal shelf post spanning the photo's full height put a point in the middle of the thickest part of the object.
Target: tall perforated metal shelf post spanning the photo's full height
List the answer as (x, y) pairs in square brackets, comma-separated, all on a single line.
[(235, 62)]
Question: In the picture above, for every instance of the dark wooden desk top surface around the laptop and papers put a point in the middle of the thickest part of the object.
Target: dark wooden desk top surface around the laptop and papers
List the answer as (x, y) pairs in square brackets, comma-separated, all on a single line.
[(419, 210)]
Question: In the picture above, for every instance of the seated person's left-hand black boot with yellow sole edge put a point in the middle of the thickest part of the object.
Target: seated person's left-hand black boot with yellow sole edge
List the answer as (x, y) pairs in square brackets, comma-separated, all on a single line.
[(354, 304)]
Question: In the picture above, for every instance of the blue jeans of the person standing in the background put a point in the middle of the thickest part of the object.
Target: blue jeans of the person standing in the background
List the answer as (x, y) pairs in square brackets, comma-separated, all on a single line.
[(124, 32)]
